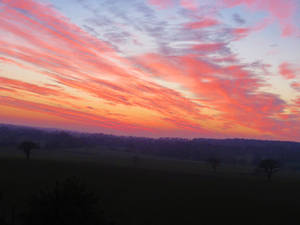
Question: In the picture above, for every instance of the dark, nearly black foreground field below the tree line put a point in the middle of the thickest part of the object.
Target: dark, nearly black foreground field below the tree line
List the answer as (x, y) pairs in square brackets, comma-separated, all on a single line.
[(137, 195)]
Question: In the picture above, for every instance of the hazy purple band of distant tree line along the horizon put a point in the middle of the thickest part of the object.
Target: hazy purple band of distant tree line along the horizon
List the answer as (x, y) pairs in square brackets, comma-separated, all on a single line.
[(231, 151)]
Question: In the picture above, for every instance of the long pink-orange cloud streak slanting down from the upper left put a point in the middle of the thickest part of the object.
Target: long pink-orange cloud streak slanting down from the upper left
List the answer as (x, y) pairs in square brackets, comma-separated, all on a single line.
[(78, 66)]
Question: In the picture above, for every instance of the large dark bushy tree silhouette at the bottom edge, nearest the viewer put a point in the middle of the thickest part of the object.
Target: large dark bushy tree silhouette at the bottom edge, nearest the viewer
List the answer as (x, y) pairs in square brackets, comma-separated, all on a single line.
[(69, 203)]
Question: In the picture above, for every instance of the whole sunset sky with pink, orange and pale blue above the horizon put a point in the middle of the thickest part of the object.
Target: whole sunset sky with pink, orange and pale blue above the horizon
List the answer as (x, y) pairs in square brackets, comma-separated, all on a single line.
[(155, 68)]
